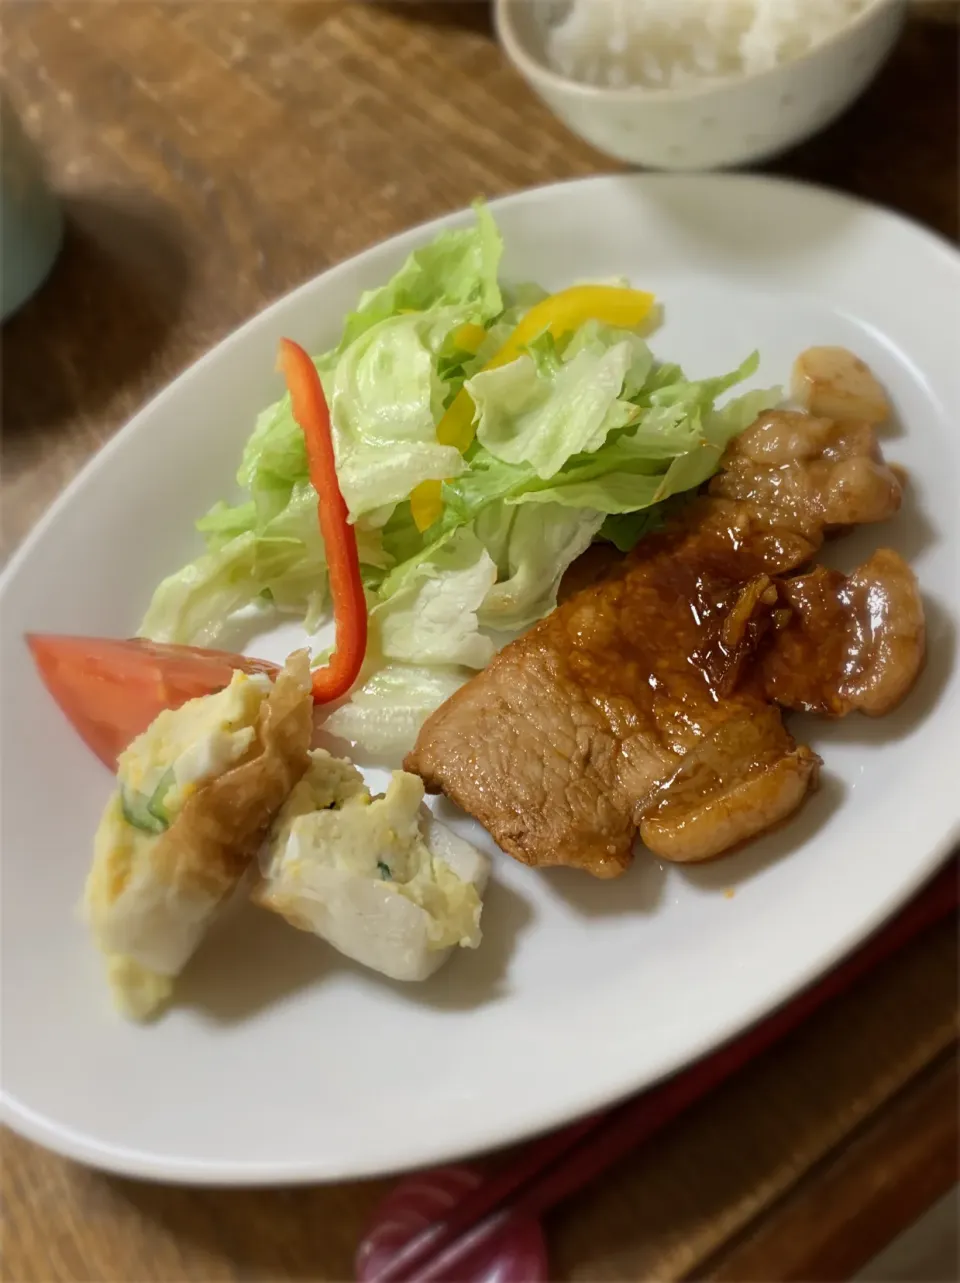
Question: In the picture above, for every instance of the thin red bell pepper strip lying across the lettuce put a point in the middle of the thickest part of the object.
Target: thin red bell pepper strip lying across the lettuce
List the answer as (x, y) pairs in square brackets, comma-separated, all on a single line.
[(311, 412)]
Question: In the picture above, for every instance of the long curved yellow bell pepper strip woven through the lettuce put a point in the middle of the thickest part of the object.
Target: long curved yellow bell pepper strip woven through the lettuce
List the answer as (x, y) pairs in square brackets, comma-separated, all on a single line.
[(558, 315)]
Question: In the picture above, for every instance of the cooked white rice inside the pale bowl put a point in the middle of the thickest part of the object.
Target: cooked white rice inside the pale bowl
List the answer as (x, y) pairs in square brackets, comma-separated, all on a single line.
[(668, 44)]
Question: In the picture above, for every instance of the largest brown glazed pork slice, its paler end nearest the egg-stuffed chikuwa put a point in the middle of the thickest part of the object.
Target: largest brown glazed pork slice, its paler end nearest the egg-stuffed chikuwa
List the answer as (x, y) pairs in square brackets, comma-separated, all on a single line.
[(577, 732)]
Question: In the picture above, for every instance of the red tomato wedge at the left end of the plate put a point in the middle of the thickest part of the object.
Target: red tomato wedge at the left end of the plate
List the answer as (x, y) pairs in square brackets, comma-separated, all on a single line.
[(112, 691)]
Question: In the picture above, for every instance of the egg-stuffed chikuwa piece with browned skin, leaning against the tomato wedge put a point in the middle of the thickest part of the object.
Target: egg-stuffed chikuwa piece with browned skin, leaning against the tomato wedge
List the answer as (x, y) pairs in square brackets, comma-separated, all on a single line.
[(196, 795)]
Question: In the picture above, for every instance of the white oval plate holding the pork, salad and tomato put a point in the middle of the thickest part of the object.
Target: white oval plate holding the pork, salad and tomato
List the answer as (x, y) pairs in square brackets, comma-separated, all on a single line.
[(286, 1063)]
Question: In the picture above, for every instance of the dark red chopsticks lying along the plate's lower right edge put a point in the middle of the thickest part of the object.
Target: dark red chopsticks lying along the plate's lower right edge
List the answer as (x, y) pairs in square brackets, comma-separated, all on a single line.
[(560, 1164)]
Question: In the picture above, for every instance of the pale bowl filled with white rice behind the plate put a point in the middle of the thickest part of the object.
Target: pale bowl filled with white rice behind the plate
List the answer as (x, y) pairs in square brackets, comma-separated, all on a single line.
[(698, 84)]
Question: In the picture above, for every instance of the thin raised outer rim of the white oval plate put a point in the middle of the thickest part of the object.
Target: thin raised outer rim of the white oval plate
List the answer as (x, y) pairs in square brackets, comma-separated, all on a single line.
[(209, 1173)]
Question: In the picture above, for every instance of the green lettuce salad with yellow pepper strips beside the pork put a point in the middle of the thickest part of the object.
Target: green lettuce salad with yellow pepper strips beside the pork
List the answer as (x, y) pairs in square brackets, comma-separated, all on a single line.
[(486, 436)]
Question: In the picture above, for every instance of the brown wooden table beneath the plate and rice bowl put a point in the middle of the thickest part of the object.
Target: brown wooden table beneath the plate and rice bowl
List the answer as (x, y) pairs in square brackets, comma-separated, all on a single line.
[(211, 157)]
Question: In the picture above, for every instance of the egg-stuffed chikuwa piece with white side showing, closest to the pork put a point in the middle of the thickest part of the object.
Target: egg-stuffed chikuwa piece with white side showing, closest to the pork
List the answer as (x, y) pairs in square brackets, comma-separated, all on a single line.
[(378, 878)]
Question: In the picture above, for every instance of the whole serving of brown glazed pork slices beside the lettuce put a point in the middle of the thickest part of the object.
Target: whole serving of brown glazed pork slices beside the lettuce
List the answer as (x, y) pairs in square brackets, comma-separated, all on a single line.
[(641, 705)]
